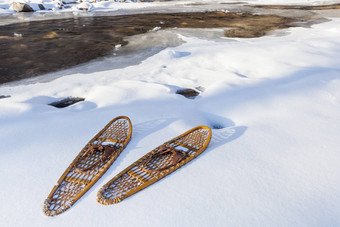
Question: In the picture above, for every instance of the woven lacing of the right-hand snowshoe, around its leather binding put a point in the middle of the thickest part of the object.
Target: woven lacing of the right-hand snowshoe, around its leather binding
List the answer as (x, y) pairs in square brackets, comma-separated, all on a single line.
[(136, 177)]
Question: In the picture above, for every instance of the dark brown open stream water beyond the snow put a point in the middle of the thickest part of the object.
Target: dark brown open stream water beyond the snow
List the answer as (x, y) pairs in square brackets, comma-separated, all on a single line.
[(34, 48)]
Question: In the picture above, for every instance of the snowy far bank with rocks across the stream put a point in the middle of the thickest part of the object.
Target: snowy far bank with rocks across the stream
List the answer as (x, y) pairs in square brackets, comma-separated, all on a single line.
[(43, 6)]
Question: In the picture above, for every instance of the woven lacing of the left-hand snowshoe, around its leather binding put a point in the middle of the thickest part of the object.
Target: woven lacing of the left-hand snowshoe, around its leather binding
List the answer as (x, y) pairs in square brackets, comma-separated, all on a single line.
[(76, 182)]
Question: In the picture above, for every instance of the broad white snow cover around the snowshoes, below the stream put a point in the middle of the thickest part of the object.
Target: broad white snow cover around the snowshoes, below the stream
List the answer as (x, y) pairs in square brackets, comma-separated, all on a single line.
[(274, 161)]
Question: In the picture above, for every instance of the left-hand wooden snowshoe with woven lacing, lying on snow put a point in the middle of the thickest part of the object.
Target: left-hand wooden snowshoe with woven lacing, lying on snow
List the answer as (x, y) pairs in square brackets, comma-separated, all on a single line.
[(90, 164)]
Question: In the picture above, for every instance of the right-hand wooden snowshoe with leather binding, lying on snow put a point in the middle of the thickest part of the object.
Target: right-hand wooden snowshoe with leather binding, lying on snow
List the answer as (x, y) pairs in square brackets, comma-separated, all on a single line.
[(155, 165)]
